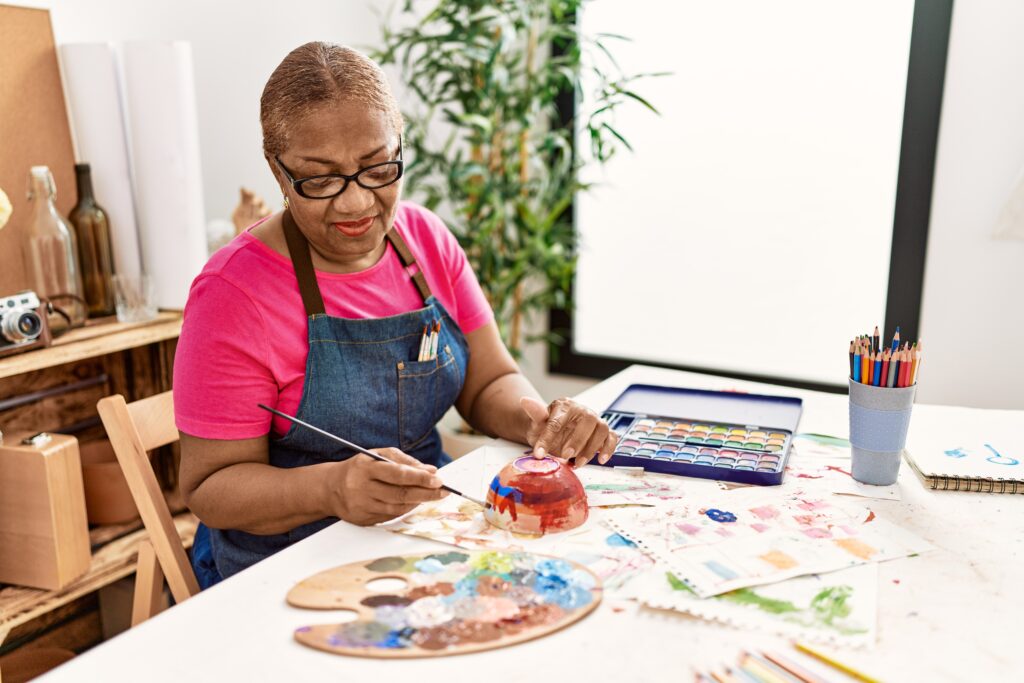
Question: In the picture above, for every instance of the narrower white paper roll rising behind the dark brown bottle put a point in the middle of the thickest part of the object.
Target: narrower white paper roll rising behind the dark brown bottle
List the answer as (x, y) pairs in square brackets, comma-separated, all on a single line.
[(95, 99)]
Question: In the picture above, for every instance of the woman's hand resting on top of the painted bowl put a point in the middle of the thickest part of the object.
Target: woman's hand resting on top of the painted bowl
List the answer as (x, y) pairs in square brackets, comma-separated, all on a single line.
[(567, 430)]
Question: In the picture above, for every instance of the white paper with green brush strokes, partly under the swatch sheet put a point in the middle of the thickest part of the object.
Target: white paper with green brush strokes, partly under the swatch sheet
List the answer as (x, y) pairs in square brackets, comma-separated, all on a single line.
[(839, 608)]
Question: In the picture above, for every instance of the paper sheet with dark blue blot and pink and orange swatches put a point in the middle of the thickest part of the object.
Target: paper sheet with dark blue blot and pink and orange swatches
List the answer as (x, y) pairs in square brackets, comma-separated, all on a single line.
[(753, 537)]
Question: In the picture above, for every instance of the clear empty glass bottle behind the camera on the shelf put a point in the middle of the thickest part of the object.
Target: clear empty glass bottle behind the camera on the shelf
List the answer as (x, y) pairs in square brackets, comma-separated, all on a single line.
[(50, 250)]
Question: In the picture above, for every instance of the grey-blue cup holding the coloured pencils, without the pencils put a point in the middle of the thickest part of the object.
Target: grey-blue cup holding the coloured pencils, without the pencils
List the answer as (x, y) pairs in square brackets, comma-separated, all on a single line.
[(879, 419)]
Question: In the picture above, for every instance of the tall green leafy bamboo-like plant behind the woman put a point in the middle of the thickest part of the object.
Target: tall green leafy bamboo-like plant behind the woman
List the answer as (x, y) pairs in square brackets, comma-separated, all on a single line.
[(491, 75)]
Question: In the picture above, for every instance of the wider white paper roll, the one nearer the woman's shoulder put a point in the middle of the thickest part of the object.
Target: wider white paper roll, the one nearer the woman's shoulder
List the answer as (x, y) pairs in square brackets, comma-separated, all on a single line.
[(163, 134)]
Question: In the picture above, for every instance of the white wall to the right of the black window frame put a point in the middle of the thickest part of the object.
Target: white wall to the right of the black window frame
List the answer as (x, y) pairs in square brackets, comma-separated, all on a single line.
[(973, 310)]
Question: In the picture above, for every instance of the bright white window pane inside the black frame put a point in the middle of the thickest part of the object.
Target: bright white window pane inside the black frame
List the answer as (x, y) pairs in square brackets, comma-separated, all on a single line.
[(750, 232)]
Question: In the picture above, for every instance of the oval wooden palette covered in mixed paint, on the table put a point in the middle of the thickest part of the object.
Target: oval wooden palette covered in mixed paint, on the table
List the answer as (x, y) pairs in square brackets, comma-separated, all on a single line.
[(452, 603)]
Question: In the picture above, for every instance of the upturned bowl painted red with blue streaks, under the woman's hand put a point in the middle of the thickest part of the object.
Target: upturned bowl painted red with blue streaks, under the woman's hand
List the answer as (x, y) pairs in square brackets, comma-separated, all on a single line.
[(536, 497)]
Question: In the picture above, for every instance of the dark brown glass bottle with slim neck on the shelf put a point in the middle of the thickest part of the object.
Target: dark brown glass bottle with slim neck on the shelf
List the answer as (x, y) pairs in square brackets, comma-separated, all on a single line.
[(95, 251)]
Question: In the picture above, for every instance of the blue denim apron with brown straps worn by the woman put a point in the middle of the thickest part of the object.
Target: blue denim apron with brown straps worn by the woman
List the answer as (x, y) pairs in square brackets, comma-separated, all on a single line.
[(363, 382)]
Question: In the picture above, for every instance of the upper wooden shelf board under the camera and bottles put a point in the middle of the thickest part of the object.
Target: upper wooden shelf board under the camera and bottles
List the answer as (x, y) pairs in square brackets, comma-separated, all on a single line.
[(96, 339)]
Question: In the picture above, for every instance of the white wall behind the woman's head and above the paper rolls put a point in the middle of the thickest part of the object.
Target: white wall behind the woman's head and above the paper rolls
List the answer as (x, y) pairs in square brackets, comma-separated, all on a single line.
[(236, 47)]
